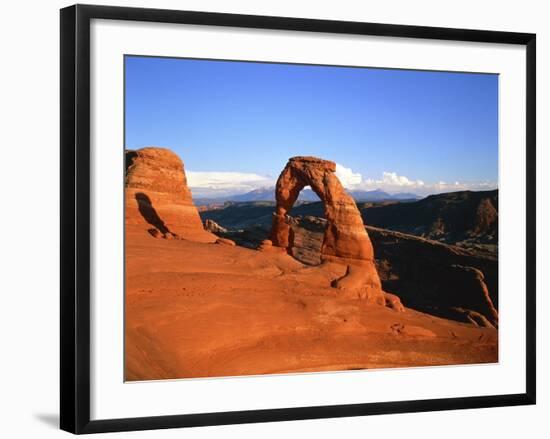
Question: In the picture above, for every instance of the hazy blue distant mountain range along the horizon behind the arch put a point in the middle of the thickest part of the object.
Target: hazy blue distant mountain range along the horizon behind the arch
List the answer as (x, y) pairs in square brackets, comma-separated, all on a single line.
[(268, 194)]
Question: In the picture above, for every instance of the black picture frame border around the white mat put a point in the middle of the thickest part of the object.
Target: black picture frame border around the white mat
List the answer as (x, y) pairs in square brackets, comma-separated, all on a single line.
[(75, 217)]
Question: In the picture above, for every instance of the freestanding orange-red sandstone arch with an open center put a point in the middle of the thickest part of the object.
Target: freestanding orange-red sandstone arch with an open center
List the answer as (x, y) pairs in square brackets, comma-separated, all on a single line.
[(345, 241)]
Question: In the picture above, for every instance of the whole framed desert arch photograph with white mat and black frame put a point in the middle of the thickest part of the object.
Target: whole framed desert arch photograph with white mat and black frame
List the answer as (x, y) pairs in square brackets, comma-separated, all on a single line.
[(274, 218)]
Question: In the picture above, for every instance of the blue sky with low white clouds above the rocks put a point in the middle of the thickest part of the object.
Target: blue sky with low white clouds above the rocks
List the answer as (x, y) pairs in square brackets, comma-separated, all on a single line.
[(235, 124)]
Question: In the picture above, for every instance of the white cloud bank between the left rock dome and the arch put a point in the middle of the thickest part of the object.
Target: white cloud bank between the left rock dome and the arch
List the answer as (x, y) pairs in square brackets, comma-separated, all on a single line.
[(223, 183)]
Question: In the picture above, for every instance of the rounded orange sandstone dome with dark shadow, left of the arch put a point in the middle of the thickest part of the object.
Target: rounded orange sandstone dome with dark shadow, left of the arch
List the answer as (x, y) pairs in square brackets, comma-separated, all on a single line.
[(157, 195)]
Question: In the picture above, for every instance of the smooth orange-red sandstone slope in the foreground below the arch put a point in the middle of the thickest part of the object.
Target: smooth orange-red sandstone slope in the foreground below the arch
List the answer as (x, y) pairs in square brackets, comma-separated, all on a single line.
[(196, 309)]
